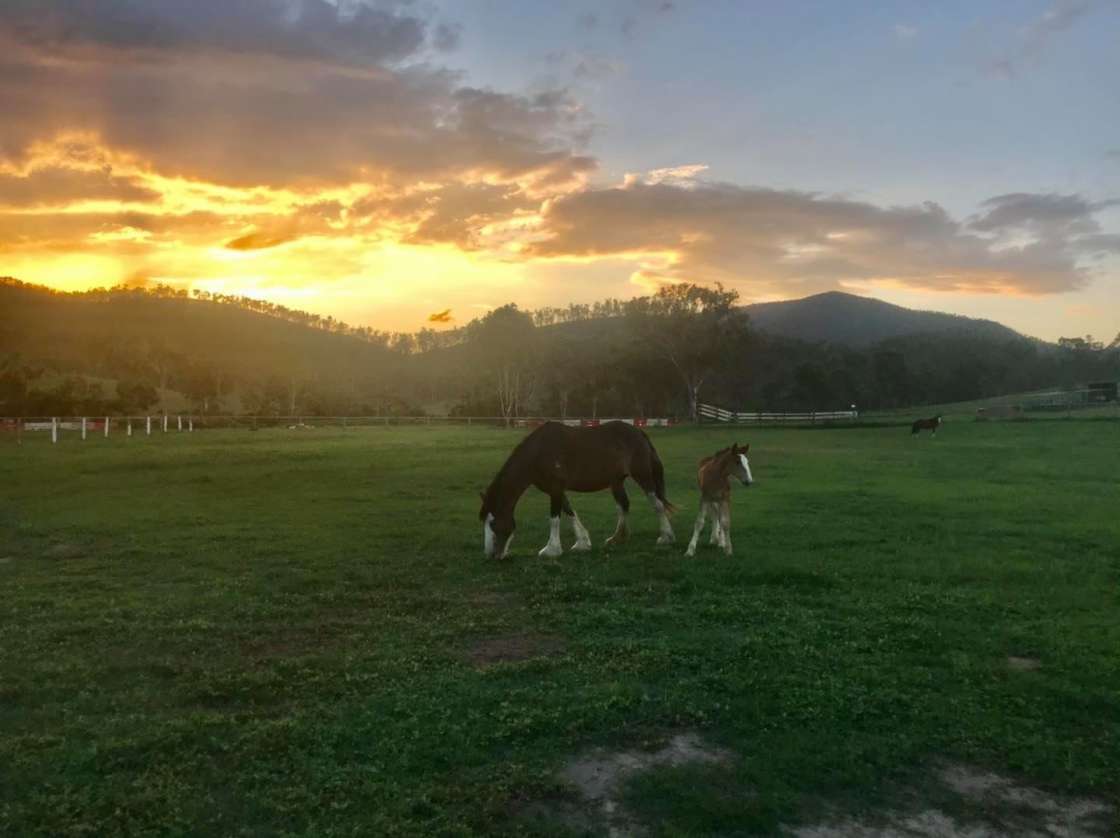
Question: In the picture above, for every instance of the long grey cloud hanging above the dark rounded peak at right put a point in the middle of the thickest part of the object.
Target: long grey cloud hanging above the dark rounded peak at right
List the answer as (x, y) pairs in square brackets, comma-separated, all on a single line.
[(782, 241)]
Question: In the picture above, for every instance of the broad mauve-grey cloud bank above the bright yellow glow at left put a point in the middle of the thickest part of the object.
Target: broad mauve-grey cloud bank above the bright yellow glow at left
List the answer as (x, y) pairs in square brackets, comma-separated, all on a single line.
[(251, 120)]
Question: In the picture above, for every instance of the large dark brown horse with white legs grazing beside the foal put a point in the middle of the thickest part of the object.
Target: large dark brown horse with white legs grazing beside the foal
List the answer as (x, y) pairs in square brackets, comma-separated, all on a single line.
[(557, 460)]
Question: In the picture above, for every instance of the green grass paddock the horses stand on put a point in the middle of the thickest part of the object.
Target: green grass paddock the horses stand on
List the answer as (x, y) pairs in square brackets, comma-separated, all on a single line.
[(295, 632)]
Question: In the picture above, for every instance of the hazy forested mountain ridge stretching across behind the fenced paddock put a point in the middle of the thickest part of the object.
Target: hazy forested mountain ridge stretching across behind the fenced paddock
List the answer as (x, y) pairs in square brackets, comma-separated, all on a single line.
[(231, 355)]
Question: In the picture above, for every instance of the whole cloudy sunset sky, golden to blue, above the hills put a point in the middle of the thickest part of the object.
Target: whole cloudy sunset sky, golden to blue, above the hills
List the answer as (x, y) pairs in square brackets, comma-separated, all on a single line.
[(381, 162)]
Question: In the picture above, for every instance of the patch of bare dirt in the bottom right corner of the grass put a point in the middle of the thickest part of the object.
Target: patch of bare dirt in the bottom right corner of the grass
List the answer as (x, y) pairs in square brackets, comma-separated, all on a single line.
[(979, 805)]
